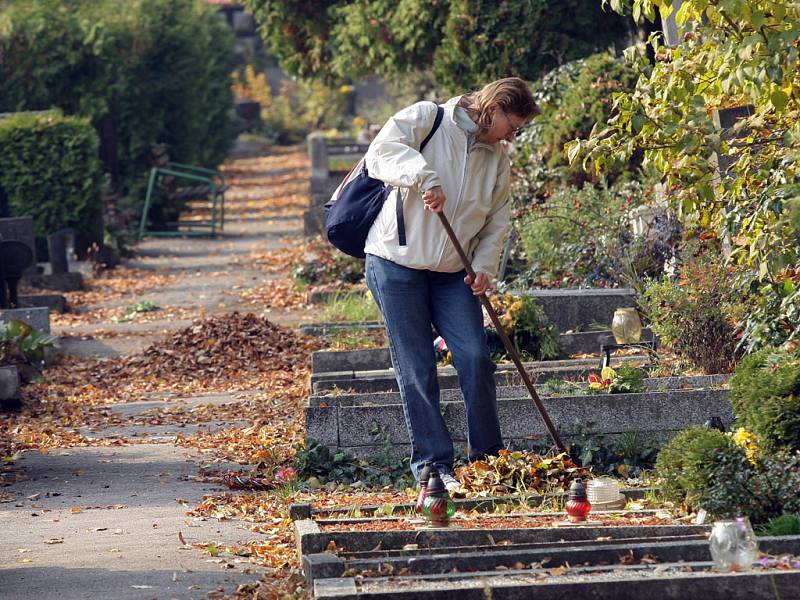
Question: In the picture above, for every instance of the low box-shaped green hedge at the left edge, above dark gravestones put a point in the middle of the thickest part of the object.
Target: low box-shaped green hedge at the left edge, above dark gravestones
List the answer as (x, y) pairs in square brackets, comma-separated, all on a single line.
[(49, 170)]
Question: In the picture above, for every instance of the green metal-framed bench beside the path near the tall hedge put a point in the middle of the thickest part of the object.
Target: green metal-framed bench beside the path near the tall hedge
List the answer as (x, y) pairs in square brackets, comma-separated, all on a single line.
[(184, 184)]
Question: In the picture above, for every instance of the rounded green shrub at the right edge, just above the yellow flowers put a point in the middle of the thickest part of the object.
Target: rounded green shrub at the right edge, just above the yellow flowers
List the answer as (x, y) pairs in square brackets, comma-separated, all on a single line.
[(765, 392)]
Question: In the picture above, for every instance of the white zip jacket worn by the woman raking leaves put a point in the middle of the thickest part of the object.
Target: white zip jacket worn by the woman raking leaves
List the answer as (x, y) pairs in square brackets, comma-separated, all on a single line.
[(475, 185)]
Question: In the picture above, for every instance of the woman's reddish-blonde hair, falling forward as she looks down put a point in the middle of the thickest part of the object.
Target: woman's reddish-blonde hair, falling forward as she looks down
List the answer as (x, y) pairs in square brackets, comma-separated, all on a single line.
[(511, 95)]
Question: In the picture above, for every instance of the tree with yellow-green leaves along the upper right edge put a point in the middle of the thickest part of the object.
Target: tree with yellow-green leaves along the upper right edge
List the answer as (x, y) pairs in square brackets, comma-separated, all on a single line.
[(734, 52)]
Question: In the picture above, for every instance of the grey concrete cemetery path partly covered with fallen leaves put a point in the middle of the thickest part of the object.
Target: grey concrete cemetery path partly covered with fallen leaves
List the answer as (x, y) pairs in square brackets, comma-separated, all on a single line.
[(110, 521)]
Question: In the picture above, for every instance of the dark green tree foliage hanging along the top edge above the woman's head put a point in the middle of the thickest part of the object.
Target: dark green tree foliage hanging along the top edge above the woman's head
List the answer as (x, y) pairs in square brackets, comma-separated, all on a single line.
[(467, 42)]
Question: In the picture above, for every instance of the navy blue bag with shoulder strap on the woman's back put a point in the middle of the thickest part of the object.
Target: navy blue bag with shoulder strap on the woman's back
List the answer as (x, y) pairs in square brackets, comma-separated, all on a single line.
[(355, 205)]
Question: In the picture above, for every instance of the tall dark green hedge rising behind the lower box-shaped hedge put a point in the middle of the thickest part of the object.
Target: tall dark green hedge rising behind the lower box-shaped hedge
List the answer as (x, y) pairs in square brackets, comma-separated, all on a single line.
[(143, 71)]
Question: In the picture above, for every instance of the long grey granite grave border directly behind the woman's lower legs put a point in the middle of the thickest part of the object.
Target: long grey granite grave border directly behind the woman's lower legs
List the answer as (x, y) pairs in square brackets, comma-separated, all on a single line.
[(653, 415)]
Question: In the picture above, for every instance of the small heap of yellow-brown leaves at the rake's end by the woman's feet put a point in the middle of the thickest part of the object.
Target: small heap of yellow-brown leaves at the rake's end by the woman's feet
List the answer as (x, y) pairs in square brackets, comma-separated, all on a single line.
[(519, 471)]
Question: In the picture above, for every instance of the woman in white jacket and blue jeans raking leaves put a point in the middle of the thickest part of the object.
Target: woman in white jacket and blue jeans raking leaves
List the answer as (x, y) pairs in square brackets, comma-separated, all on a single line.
[(413, 270)]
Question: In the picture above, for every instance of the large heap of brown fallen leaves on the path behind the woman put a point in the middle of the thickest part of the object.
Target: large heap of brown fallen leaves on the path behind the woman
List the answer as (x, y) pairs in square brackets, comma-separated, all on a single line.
[(223, 347)]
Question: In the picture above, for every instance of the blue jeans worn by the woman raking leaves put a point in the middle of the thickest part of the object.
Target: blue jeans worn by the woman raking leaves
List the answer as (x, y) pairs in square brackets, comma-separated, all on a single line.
[(412, 300)]
